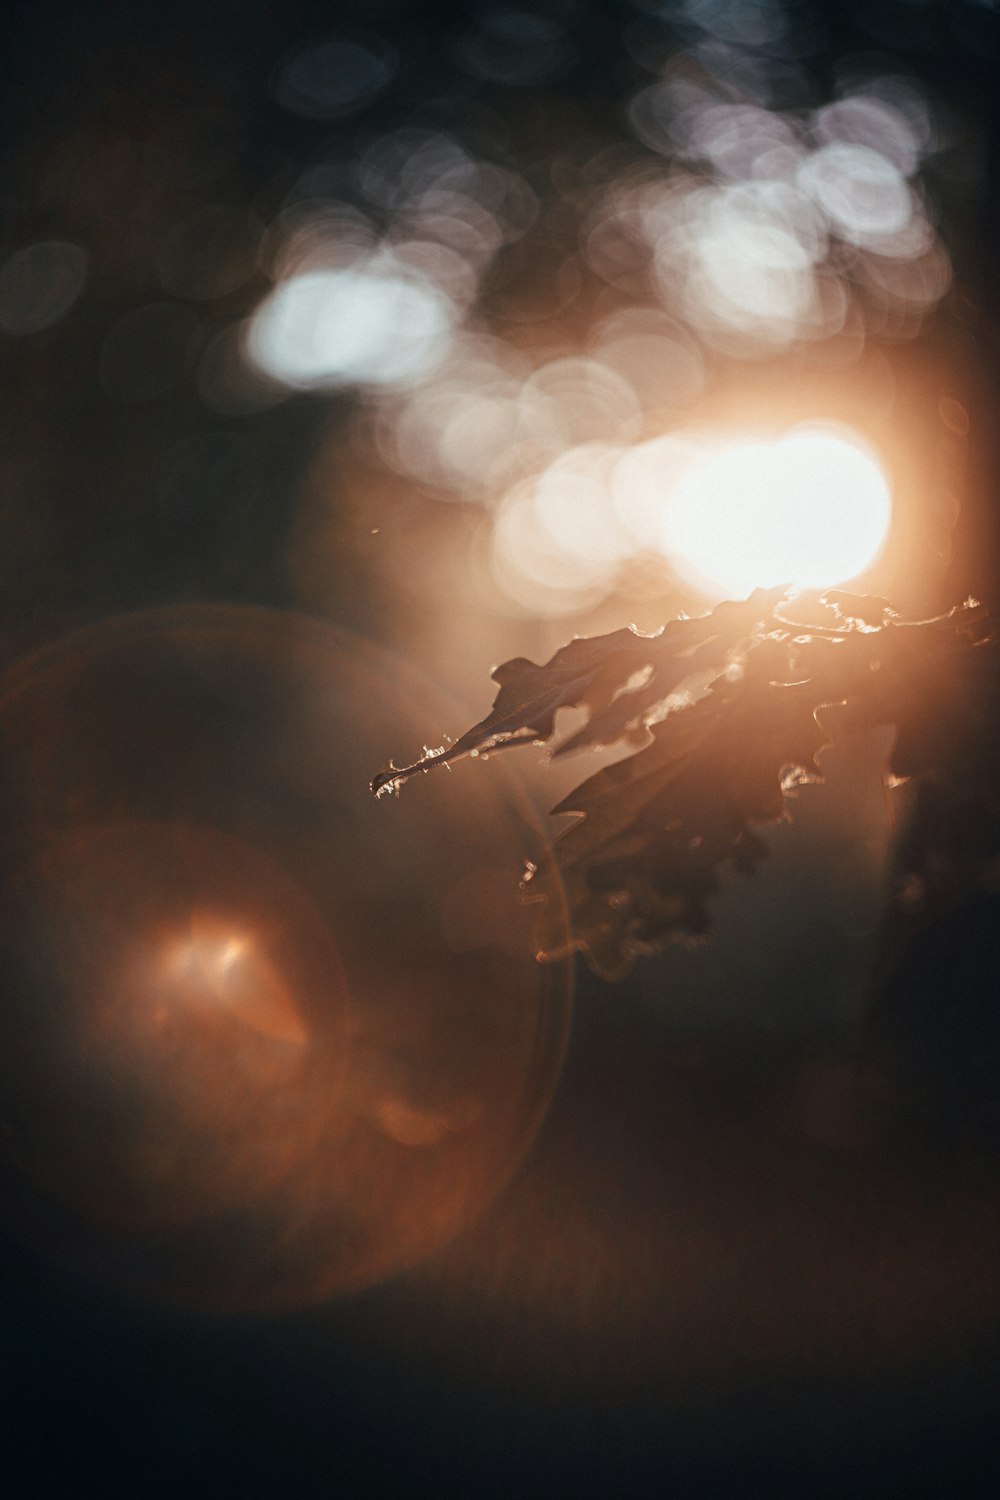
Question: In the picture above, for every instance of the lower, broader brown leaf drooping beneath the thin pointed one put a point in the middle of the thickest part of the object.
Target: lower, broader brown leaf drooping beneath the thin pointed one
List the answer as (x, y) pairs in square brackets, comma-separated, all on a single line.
[(656, 830)]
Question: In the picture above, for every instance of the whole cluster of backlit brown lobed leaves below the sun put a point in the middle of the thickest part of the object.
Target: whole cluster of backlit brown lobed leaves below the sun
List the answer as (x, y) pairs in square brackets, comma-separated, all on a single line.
[(654, 832)]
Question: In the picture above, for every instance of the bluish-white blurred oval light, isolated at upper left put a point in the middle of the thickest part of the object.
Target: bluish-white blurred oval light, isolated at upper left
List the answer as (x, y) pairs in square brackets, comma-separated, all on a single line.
[(350, 326)]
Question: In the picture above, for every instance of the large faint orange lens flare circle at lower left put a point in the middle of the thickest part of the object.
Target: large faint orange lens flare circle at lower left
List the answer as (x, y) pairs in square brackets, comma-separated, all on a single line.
[(263, 1039)]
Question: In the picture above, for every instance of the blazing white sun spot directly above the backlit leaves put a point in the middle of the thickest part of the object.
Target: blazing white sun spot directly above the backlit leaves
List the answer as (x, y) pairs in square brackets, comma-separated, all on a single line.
[(809, 511)]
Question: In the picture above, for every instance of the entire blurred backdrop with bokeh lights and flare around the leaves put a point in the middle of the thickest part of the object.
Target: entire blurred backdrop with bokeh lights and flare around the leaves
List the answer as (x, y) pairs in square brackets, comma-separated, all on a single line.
[(349, 352)]
